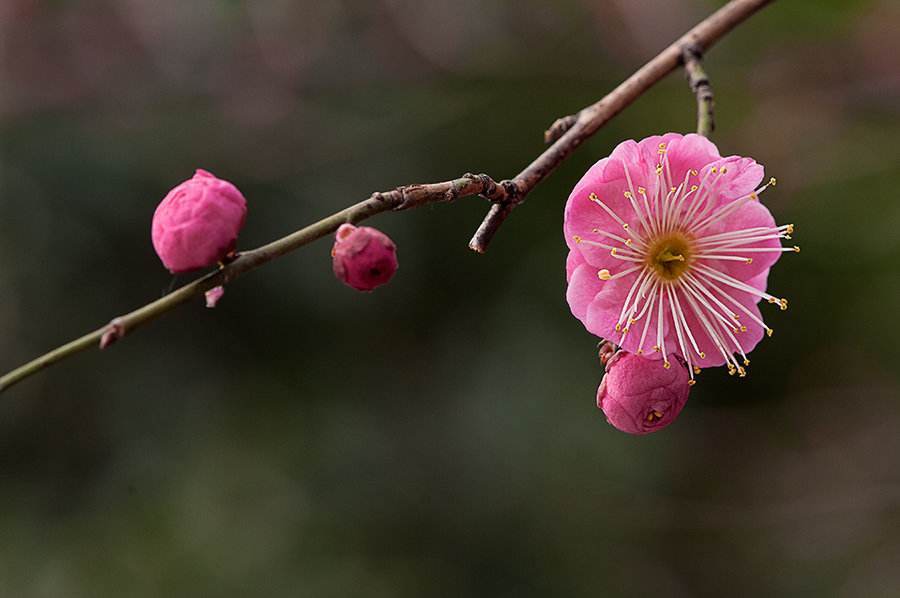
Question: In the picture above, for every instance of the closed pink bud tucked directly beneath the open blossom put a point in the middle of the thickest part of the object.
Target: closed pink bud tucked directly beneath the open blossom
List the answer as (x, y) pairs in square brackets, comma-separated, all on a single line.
[(640, 395)]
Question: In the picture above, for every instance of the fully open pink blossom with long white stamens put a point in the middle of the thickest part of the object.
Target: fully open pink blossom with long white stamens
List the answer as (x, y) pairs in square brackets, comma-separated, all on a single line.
[(669, 251)]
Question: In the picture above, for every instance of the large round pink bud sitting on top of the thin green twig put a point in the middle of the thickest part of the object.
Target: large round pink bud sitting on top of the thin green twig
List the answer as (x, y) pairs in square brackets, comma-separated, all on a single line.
[(197, 223)]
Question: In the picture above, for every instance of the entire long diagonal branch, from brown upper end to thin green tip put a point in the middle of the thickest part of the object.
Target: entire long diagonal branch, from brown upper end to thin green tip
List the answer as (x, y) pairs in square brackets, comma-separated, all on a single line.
[(566, 134)]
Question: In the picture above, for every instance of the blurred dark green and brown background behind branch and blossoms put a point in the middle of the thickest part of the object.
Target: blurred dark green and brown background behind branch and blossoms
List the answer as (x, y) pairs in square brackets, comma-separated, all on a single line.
[(438, 437)]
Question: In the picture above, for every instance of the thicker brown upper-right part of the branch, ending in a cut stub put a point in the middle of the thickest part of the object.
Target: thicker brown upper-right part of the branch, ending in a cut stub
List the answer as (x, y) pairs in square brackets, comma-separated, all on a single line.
[(569, 132)]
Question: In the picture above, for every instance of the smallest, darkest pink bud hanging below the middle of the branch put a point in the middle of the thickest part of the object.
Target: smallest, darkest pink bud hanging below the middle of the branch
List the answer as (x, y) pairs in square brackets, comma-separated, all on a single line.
[(363, 258)]
